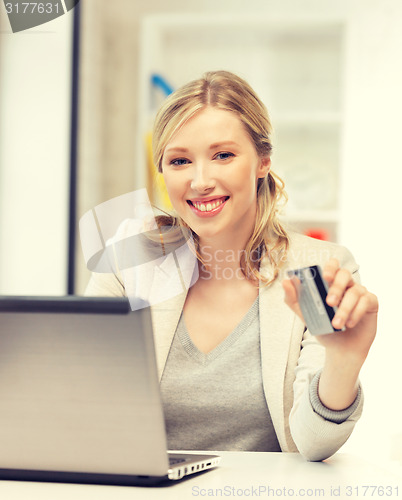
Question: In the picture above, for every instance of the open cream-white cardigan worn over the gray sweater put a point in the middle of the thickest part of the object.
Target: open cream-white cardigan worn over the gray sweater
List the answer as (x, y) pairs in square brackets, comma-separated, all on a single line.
[(290, 355)]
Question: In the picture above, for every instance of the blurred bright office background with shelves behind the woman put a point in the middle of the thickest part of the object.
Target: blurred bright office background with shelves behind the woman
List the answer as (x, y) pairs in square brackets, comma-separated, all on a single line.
[(331, 76)]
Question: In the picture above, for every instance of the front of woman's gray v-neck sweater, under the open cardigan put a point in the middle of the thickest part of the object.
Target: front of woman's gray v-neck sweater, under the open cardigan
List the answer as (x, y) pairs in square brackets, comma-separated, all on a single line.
[(215, 401)]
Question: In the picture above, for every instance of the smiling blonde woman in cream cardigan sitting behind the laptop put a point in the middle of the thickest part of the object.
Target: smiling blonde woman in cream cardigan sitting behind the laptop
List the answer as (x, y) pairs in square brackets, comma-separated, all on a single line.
[(239, 371)]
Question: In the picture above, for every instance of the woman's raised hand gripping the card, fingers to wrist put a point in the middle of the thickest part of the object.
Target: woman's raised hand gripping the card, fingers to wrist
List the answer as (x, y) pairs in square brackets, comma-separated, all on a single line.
[(357, 312)]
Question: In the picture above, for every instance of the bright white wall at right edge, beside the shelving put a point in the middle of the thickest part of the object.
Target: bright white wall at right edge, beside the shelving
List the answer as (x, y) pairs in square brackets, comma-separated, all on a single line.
[(372, 208)]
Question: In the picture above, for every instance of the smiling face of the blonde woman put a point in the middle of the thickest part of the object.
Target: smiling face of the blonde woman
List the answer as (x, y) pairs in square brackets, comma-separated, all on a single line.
[(211, 169)]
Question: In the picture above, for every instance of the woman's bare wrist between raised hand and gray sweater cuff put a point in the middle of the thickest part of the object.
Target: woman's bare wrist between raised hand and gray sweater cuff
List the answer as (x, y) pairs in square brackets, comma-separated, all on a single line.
[(338, 385)]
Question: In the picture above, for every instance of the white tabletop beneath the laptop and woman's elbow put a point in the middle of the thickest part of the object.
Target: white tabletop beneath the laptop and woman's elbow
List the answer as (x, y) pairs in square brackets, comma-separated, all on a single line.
[(240, 475)]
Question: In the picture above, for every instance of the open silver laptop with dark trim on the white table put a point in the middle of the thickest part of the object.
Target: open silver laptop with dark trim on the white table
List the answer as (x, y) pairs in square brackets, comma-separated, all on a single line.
[(79, 395)]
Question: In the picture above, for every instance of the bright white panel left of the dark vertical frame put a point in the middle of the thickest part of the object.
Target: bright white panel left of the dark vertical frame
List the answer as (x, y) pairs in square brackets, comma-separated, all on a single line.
[(35, 72)]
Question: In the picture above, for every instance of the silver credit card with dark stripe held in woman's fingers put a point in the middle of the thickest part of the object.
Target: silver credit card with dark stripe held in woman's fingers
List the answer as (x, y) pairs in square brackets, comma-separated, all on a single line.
[(312, 292)]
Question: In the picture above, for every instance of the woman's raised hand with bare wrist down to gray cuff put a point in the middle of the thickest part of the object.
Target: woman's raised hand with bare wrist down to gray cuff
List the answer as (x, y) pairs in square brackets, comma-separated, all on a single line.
[(347, 350)]
